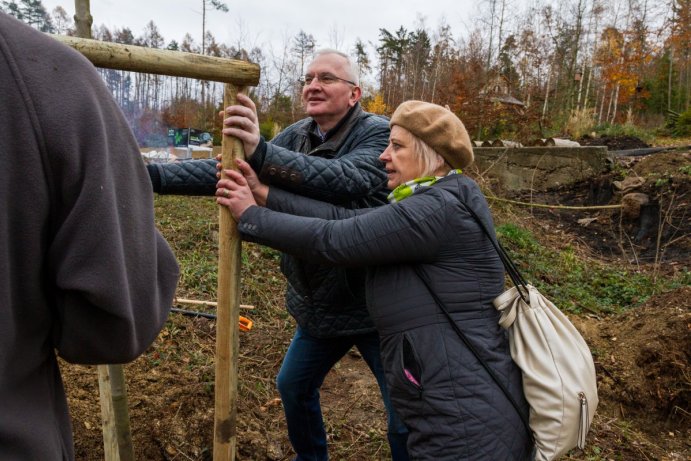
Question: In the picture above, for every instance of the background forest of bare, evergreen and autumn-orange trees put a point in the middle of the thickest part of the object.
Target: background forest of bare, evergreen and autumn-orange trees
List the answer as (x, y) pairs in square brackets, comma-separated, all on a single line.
[(569, 68)]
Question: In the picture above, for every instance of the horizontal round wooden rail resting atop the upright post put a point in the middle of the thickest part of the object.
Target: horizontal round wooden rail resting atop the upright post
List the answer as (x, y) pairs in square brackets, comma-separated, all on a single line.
[(164, 62)]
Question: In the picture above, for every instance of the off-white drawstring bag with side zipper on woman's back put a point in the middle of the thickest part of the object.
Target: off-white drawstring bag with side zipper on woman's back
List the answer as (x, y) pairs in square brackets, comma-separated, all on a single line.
[(558, 371)]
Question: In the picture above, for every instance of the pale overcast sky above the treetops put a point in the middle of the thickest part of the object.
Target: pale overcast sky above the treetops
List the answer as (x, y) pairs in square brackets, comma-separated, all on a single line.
[(268, 24)]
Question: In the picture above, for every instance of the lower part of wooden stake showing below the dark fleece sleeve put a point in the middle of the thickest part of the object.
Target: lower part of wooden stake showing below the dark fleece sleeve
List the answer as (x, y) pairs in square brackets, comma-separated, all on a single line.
[(117, 438)]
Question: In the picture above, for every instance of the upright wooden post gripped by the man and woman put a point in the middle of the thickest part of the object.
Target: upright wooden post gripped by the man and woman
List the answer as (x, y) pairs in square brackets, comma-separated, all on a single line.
[(228, 309)]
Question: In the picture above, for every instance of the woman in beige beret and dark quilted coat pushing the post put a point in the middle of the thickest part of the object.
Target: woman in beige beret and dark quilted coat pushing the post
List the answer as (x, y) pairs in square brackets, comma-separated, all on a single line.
[(450, 404)]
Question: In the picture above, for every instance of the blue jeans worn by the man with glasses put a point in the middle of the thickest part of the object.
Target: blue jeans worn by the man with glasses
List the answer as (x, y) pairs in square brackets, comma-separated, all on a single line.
[(304, 368)]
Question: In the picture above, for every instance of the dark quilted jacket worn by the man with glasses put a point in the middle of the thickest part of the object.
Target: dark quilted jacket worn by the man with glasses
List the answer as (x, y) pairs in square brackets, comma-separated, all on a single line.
[(345, 170)]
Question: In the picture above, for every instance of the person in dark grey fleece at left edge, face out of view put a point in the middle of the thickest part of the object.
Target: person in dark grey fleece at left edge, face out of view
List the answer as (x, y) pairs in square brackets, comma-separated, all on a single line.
[(84, 273)]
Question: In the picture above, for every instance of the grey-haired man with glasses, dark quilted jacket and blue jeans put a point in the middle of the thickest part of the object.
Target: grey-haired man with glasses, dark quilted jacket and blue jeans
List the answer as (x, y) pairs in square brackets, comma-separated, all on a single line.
[(332, 156)]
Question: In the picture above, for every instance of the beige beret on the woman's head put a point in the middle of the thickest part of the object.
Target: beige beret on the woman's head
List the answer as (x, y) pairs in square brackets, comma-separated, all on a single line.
[(439, 128)]
